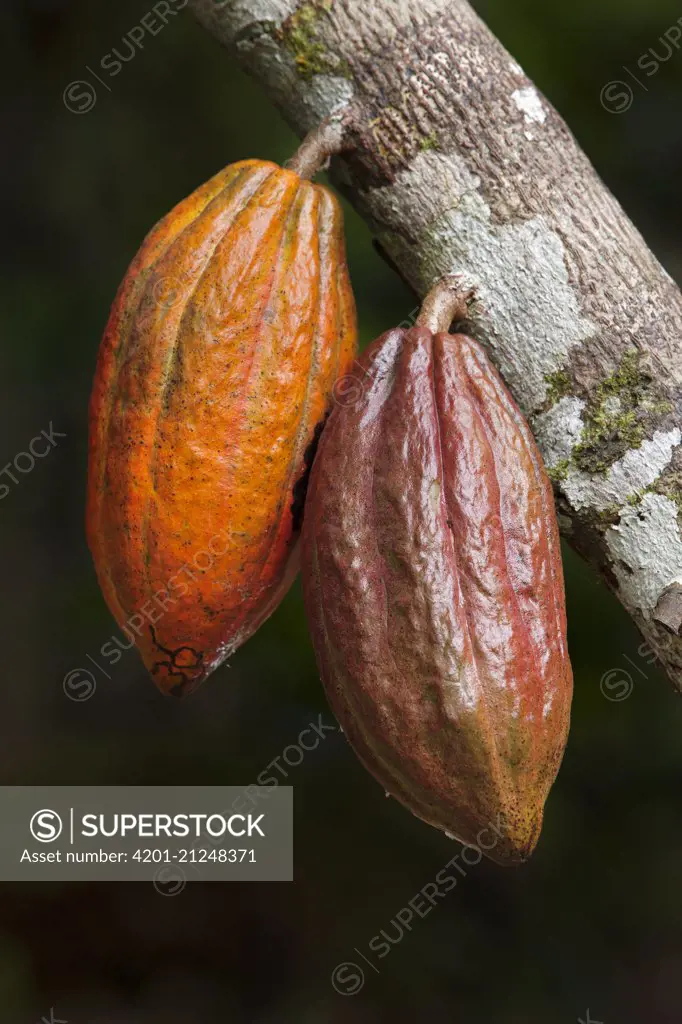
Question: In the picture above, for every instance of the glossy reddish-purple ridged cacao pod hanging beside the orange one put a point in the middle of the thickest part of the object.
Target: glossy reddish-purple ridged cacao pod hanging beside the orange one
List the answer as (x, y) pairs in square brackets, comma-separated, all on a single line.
[(434, 586)]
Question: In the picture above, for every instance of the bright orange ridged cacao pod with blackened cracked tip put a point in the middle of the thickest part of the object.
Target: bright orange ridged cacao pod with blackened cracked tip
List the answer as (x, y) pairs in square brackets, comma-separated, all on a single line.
[(215, 377)]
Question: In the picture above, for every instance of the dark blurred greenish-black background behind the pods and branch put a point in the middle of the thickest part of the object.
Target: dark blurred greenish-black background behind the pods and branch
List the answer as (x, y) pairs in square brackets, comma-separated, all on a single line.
[(594, 921)]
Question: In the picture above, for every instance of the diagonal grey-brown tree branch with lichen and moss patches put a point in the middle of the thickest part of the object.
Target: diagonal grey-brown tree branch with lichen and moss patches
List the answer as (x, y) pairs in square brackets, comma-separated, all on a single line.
[(461, 166)]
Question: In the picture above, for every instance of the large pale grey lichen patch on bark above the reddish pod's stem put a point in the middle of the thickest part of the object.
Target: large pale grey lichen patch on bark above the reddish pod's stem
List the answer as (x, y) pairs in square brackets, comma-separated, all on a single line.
[(533, 318)]
